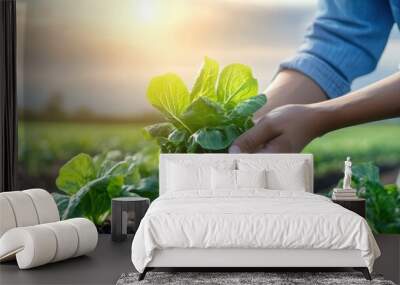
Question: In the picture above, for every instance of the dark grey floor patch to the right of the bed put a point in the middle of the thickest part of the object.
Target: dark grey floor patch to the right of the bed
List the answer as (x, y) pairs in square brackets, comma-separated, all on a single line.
[(388, 263)]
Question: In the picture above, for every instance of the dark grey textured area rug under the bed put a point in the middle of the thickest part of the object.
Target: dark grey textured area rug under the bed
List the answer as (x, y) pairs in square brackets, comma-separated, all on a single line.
[(233, 278)]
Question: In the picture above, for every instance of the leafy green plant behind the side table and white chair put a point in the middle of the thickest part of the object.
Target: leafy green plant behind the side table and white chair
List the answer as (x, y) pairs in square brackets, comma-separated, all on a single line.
[(89, 183)]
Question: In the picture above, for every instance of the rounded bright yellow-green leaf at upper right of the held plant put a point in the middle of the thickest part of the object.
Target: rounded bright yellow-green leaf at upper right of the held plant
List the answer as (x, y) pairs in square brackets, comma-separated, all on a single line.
[(236, 84)]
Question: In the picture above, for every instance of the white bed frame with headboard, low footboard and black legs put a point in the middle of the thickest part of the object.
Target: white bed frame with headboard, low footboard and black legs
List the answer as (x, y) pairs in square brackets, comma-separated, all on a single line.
[(249, 259)]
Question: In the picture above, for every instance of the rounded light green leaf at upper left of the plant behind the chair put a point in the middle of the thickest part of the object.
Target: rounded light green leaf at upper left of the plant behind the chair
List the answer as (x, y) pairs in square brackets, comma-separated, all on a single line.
[(76, 173)]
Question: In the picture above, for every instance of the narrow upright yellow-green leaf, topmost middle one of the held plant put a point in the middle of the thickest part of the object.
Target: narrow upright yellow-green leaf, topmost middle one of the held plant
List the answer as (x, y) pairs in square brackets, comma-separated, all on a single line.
[(205, 82)]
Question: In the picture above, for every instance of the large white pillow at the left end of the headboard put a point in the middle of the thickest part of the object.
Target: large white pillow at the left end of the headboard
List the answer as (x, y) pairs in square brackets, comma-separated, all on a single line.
[(182, 177)]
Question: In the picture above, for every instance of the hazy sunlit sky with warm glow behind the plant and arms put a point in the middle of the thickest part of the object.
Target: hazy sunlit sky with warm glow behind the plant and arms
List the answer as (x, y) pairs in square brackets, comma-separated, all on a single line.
[(101, 54)]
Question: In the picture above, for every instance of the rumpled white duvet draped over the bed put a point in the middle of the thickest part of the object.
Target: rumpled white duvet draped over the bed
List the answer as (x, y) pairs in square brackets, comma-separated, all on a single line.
[(250, 219)]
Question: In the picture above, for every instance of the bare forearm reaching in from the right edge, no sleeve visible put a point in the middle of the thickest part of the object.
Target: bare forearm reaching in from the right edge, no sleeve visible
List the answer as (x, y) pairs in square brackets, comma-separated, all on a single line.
[(375, 102)]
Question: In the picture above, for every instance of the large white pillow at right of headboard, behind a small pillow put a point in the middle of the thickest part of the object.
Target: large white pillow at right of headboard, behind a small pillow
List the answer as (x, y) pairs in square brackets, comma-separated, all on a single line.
[(281, 174)]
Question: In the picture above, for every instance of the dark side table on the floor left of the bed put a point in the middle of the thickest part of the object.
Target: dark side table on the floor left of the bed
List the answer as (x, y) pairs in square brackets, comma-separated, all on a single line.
[(126, 214)]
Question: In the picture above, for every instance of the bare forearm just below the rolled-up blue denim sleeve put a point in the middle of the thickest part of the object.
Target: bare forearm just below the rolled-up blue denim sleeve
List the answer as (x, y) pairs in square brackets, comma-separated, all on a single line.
[(291, 87)]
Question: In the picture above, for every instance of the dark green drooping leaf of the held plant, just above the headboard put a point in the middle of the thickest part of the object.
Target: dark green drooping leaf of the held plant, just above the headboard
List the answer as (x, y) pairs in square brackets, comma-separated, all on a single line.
[(216, 138)]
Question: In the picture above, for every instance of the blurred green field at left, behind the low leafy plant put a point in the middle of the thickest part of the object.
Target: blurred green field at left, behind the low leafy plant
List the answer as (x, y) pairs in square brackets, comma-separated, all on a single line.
[(43, 145)]
